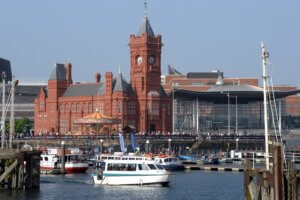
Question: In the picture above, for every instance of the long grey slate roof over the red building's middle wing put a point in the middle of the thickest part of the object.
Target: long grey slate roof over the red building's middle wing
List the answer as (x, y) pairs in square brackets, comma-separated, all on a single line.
[(91, 89)]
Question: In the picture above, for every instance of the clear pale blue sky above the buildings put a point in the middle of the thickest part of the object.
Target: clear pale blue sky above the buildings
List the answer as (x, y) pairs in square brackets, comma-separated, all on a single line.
[(198, 36)]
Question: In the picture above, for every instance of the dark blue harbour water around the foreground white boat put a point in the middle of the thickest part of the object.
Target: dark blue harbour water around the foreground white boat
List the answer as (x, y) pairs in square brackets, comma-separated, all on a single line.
[(200, 185)]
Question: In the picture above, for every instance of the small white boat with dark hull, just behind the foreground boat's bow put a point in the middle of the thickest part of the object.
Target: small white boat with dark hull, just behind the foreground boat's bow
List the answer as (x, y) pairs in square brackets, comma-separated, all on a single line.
[(169, 163)]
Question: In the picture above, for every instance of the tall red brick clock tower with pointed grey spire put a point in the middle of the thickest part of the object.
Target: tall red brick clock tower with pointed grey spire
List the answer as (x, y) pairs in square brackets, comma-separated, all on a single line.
[(145, 73)]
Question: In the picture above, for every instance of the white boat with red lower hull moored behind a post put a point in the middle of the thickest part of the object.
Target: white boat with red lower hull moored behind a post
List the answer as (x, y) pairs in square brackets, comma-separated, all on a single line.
[(74, 161)]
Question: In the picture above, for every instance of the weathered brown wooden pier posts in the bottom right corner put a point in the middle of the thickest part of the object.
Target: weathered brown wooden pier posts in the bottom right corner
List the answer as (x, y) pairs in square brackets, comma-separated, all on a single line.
[(281, 182)]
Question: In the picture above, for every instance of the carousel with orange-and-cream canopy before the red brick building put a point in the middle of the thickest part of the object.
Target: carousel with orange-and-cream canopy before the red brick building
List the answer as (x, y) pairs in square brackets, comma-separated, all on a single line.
[(96, 124)]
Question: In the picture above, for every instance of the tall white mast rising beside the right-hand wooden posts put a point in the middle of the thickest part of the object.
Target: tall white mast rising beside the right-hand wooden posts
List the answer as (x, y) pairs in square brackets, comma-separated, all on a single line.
[(265, 56)]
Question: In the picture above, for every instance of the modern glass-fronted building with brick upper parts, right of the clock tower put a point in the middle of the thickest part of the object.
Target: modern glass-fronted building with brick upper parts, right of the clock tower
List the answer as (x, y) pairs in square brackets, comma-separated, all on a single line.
[(206, 101)]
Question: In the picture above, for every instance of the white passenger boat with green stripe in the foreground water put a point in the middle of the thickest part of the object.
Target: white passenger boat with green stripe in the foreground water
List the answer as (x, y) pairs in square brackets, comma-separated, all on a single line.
[(130, 172)]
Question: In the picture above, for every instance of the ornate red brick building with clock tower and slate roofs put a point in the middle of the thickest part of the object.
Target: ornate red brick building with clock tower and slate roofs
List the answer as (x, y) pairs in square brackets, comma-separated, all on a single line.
[(142, 103)]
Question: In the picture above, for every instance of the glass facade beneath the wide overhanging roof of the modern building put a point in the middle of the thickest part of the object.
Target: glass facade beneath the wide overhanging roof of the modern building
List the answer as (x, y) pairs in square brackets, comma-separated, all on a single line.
[(215, 115)]
